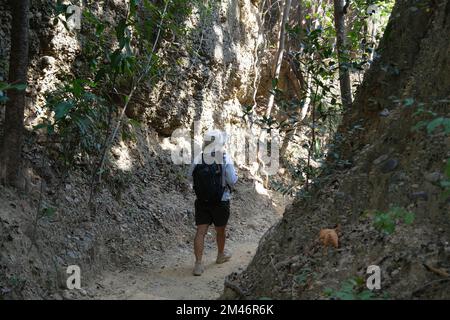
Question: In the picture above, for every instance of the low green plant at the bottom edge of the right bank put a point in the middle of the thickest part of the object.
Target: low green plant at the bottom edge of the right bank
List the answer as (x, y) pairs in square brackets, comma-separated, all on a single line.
[(351, 289)]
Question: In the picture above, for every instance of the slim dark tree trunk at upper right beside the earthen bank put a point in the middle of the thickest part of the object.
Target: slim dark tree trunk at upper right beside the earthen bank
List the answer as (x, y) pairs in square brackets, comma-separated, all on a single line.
[(344, 74)]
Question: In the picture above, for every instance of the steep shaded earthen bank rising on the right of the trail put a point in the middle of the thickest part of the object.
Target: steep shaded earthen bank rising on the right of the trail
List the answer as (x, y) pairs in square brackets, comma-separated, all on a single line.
[(417, 43)]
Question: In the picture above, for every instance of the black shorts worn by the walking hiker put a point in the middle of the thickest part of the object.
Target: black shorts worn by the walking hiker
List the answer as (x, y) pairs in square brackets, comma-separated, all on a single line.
[(212, 213)]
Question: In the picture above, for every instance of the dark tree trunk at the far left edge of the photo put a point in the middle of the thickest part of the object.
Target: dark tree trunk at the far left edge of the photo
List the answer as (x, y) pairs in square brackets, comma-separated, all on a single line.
[(14, 115)]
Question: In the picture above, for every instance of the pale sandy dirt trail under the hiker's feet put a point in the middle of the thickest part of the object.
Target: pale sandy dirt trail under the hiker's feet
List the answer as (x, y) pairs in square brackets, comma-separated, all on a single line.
[(169, 275)]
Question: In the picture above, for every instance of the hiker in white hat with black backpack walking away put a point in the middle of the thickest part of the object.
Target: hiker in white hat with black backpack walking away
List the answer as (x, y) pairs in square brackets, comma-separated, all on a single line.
[(213, 175)]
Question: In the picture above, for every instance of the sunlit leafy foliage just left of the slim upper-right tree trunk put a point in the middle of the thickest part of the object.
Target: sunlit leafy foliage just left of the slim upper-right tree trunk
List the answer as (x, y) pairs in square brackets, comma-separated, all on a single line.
[(316, 59)]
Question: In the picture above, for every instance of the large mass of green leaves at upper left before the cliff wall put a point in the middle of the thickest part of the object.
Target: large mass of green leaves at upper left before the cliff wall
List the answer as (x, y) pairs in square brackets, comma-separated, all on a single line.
[(115, 59)]
